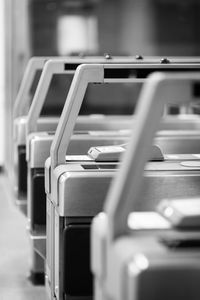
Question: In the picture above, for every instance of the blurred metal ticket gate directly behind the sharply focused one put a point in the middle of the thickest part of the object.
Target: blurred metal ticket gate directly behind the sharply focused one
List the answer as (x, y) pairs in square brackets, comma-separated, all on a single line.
[(38, 144)]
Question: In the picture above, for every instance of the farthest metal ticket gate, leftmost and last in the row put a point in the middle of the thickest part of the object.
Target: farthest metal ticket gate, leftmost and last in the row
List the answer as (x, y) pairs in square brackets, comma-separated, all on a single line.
[(51, 123)]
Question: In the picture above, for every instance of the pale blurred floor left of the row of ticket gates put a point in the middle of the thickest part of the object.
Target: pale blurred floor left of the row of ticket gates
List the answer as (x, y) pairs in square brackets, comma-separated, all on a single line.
[(14, 251)]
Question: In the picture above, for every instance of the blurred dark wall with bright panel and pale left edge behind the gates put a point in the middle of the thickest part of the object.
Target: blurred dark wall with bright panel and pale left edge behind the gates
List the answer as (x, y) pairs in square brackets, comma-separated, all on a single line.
[(67, 27)]
